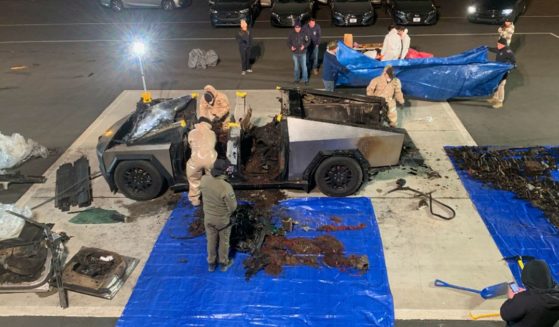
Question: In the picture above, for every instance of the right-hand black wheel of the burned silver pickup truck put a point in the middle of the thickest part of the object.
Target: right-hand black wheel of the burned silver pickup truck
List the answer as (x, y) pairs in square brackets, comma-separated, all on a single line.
[(339, 176)]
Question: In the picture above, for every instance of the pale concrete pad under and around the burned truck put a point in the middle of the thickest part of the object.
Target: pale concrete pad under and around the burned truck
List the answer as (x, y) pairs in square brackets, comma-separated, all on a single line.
[(418, 247)]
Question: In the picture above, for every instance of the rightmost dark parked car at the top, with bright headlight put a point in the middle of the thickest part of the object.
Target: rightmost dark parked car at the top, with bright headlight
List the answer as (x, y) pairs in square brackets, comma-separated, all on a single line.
[(495, 11)]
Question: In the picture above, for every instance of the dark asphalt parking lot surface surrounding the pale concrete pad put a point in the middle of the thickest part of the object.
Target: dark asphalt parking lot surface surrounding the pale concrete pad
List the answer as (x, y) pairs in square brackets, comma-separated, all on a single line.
[(75, 54)]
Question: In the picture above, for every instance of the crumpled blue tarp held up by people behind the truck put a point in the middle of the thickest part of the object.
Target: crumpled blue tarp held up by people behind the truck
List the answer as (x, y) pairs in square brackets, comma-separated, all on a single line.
[(468, 74)]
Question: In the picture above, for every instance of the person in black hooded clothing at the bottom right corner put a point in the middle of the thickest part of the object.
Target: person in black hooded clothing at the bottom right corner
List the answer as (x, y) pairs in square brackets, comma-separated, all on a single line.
[(538, 305)]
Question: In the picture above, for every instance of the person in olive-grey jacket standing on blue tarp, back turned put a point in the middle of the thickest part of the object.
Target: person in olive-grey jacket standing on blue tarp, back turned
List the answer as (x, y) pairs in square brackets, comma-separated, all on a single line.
[(218, 205)]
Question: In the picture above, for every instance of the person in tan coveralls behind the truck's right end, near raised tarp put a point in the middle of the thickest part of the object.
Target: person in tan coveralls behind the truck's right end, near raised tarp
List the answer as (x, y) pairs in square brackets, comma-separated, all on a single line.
[(390, 88)]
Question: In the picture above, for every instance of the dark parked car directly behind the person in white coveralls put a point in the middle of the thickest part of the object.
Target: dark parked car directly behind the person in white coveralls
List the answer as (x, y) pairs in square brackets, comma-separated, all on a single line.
[(413, 12)]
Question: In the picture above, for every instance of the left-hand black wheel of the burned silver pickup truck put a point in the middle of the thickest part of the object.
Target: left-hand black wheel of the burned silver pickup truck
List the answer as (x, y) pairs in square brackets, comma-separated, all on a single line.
[(138, 180)]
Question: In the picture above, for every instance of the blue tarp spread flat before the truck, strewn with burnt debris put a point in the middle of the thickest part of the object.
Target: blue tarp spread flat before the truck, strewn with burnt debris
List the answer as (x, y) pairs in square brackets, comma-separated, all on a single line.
[(175, 288)]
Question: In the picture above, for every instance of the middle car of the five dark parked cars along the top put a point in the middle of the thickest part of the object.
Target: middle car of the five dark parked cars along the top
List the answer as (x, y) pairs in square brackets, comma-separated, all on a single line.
[(352, 12)]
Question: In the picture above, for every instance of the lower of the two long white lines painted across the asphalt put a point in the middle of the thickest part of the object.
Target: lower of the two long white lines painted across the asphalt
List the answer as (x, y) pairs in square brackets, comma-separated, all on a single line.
[(265, 38)]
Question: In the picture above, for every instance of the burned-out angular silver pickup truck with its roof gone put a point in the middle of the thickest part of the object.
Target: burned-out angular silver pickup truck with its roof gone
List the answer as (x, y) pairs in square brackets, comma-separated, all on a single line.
[(318, 138)]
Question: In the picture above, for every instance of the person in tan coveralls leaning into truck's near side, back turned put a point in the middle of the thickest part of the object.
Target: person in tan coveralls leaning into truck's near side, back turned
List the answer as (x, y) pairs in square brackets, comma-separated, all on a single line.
[(202, 142)]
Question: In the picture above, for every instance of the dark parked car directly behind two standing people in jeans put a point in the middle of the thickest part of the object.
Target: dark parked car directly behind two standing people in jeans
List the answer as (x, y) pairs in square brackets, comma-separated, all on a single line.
[(287, 12)]
